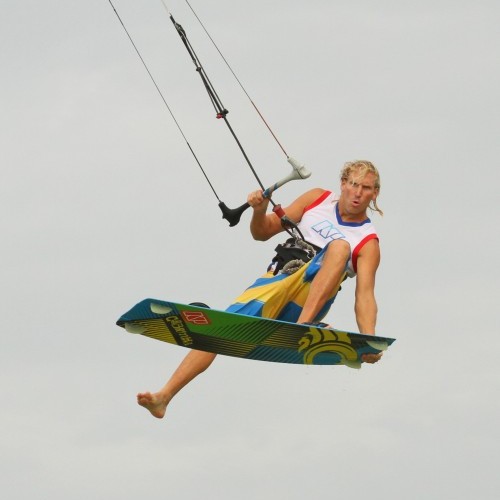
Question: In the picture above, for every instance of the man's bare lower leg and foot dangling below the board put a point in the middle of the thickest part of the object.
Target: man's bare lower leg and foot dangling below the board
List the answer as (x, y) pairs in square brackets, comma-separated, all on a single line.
[(192, 365)]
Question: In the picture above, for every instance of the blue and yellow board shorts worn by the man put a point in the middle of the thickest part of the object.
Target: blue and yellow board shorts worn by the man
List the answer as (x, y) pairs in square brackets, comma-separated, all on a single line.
[(283, 296)]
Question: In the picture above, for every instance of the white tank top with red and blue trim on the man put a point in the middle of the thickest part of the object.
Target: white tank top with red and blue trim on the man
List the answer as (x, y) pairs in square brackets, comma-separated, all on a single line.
[(321, 223)]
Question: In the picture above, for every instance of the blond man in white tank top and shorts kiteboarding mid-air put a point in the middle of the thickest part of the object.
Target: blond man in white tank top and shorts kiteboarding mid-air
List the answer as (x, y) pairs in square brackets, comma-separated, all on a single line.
[(348, 246)]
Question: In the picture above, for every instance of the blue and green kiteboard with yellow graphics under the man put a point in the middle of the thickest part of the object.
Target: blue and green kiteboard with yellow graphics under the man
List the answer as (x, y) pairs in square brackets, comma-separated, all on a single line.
[(248, 337)]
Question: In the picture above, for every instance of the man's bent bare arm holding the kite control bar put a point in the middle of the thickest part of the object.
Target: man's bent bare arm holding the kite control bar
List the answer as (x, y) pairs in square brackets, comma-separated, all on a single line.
[(265, 225)]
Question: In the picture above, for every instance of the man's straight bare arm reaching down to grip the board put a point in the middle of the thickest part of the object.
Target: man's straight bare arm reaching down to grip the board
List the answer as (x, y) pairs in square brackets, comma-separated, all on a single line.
[(365, 305)]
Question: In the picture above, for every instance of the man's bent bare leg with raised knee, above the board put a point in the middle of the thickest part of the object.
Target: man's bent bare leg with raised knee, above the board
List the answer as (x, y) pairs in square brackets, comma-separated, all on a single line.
[(326, 280)]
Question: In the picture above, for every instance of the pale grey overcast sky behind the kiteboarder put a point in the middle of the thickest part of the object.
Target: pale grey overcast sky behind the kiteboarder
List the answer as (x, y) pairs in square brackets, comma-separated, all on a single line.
[(103, 205)]
